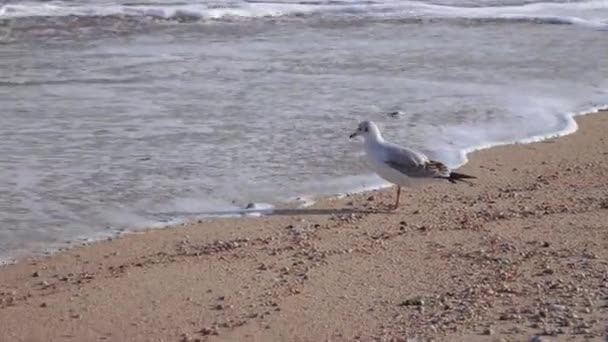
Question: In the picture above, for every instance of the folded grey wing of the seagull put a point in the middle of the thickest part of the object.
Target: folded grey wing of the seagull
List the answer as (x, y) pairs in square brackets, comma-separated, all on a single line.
[(414, 164)]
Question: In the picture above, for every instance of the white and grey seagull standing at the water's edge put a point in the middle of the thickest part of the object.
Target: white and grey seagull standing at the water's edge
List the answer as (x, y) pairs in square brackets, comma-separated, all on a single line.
[(399, 165)]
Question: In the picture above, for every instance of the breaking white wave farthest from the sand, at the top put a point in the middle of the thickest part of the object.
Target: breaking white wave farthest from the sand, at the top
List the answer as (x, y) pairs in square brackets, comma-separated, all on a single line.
[(579, 13)]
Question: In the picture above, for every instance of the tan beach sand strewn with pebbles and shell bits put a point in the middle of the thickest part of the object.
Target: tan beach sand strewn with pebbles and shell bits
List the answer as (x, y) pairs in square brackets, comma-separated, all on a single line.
[(520, 256)]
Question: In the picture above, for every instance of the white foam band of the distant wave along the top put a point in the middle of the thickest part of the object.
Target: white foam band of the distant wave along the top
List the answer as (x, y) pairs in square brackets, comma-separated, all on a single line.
[(540, 11)]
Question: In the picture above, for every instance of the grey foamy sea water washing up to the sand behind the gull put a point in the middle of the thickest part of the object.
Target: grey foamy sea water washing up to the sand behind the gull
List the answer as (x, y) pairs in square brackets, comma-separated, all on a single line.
[(122, 115)]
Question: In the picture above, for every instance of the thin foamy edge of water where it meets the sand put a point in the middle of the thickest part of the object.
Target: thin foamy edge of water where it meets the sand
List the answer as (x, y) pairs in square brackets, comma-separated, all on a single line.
[(287, 204)]
